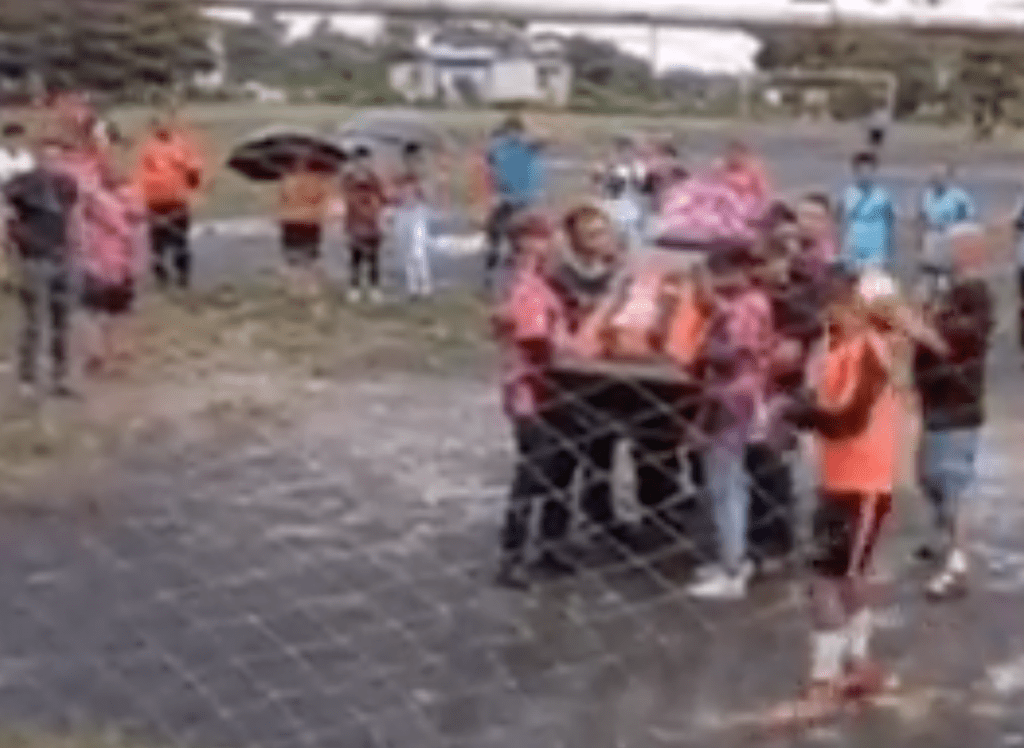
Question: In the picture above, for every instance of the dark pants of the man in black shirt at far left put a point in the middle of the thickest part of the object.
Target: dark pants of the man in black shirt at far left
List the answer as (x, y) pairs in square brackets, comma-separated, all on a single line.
[(46, 295)]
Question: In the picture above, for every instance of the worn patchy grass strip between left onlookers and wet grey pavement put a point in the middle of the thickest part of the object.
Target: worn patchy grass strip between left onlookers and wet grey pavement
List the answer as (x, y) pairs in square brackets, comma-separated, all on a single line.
[(226, 363)]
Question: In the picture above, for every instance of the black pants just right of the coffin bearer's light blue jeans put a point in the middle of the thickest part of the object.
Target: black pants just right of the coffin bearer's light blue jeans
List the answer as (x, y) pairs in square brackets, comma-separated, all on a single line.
[(773, 503)]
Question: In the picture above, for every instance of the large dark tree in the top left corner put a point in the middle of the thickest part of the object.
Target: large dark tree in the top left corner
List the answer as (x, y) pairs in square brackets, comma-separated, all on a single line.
[(111, 46)]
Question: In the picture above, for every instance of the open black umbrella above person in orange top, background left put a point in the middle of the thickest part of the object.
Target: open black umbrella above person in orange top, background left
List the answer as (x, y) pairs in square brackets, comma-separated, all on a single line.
[(272, 153)]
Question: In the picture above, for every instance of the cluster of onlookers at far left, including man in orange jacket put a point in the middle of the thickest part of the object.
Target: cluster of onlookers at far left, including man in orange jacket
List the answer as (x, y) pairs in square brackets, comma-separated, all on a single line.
[(77, 223)]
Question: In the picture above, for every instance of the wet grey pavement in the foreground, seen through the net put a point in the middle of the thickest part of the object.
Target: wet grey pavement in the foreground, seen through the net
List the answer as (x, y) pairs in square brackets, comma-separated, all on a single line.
[(323, 591)]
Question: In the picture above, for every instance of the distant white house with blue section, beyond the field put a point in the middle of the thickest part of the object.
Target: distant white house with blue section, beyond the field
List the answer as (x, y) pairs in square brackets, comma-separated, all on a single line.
[(473, 66)]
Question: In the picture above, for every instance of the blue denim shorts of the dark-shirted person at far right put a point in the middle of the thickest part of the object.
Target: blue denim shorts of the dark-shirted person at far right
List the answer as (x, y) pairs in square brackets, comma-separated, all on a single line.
[(948, 470)]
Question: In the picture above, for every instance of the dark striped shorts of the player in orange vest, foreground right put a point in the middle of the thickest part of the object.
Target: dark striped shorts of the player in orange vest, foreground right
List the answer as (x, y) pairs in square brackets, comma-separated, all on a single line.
[(846, 529)]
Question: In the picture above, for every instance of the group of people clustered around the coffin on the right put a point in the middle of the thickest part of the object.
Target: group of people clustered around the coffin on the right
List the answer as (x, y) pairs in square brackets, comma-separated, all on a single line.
[(806, 336)]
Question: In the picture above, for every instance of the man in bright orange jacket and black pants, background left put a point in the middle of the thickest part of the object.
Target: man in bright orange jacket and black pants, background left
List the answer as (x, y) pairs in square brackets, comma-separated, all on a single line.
[(169, 173)]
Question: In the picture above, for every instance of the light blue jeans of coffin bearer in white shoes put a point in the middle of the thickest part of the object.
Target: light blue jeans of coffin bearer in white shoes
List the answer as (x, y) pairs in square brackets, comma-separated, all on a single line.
[(731, 496)]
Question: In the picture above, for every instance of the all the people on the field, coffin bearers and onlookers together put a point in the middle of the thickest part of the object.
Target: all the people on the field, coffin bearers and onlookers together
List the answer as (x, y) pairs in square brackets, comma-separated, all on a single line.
[(795, 363)]
